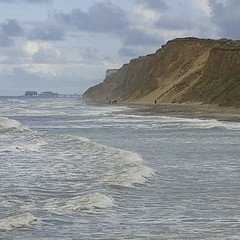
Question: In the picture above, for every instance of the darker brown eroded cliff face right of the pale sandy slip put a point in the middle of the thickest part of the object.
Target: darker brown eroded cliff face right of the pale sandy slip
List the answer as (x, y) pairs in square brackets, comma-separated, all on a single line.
[(220, 81)]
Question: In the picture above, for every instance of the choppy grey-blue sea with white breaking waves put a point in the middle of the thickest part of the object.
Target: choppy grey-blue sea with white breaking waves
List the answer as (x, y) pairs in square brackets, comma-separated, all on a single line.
[(74, 171)]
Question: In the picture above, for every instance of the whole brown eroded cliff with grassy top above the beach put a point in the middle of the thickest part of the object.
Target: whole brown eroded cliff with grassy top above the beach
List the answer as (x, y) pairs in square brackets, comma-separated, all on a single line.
[(184, 70)]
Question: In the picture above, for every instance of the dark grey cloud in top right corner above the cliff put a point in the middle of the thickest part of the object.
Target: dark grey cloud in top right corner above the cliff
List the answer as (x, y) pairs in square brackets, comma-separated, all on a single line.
[(227, 18)]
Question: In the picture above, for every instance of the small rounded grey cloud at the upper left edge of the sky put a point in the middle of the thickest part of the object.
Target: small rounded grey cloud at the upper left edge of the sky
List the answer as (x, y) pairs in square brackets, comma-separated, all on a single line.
[(11, 28)]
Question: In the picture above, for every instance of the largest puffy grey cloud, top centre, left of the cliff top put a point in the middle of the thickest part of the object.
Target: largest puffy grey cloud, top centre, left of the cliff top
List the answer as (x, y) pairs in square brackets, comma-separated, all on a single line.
[(101, 17)]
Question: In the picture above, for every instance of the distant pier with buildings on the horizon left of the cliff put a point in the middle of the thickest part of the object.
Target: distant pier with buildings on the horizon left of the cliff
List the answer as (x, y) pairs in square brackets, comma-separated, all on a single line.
[(34, 94)]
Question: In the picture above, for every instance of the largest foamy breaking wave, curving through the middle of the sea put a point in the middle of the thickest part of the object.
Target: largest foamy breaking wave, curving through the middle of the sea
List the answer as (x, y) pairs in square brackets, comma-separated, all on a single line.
[(126, 168)]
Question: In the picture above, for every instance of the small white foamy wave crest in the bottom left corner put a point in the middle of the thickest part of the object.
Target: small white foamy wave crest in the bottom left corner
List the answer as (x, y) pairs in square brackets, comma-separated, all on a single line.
[(17, 221)]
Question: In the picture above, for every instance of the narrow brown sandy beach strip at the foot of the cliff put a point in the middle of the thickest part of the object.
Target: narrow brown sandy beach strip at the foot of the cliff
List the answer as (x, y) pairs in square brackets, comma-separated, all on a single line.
[(185, 110)]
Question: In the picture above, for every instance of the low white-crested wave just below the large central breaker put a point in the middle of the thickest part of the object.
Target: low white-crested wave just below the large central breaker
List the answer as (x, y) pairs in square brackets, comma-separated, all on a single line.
[(86, 203)]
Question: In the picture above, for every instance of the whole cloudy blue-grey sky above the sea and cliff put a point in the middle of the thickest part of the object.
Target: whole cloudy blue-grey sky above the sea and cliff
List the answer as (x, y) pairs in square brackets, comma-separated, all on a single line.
[(66, 46)]
